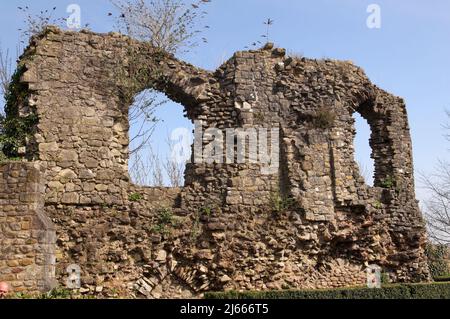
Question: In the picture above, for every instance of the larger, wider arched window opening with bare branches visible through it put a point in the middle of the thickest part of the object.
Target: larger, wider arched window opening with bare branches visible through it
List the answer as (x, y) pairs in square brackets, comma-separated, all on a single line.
[(160, 140)]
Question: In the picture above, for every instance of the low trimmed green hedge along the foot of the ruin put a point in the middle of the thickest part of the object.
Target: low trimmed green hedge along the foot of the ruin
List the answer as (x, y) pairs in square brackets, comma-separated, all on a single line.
[(439, 290)]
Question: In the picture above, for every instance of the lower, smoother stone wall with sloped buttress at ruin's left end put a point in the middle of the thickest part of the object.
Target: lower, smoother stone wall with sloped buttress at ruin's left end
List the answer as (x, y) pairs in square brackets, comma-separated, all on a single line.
[(27, 236)]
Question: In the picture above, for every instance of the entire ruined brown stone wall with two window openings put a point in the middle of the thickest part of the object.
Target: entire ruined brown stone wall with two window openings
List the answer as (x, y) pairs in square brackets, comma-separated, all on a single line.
[(310, 223)]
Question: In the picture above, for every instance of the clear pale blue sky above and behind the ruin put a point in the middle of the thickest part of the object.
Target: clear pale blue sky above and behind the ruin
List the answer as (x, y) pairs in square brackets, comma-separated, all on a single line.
[(409, 55)]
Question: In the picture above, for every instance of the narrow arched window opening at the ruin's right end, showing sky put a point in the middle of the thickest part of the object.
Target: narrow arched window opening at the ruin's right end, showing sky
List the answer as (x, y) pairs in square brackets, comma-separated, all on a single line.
[(363, 150)]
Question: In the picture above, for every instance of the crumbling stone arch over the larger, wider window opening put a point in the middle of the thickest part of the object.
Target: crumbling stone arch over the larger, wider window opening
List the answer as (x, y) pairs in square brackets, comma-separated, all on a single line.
[(144, 67)]
